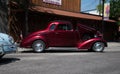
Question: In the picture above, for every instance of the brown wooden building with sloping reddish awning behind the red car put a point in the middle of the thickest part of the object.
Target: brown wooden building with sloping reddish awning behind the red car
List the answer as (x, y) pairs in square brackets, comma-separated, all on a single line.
[(41, 12)]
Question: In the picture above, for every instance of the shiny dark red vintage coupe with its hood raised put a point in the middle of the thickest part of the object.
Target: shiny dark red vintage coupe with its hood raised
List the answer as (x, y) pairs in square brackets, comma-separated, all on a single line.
[(65, 34)]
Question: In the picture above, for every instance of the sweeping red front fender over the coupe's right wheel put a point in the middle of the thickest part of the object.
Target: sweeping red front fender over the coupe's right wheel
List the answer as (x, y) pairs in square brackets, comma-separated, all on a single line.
[(88, 43)]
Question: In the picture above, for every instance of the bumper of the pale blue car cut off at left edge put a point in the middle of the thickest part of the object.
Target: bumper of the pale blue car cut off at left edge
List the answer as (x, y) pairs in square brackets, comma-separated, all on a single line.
[(5, 49)]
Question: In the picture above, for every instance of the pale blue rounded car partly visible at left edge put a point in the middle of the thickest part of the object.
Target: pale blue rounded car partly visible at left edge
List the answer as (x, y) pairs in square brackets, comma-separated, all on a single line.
[(7, 44)]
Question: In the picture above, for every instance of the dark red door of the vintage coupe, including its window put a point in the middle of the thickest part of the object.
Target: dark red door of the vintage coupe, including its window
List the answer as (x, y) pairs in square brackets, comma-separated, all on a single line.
[(64, 35)]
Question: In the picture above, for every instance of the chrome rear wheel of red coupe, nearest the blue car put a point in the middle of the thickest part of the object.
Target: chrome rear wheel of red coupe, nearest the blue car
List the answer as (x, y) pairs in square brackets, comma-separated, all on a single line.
[(38, 46)]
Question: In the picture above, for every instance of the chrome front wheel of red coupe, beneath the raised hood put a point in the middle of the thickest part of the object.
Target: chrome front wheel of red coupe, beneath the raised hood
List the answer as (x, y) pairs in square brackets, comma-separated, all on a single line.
[(98, 47)]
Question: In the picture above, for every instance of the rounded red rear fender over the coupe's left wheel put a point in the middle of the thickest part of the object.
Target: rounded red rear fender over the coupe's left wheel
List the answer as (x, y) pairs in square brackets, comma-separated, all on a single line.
[(27, 42)]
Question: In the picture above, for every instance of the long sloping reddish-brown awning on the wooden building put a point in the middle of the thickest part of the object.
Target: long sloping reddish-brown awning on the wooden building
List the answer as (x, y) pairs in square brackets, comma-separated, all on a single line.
[(67, 13)]
